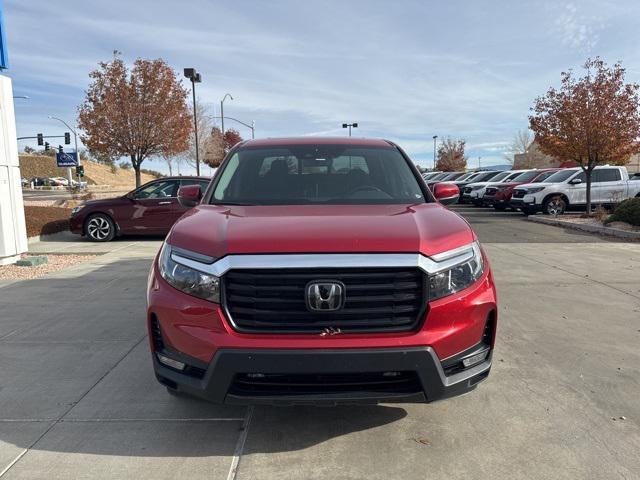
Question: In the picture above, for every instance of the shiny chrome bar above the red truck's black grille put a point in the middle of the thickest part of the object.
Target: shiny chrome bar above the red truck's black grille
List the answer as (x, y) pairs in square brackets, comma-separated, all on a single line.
[(430, 265)]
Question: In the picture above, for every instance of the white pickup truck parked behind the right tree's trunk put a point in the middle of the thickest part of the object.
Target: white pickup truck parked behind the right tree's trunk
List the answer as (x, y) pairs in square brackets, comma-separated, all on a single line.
[(567, 189)]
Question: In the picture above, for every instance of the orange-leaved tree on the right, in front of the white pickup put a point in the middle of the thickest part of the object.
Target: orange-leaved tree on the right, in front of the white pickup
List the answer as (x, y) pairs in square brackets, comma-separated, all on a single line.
[(592, 120)]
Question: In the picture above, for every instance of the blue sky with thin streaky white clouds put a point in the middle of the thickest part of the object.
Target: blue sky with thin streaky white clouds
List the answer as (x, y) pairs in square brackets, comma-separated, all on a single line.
[(404, 70)]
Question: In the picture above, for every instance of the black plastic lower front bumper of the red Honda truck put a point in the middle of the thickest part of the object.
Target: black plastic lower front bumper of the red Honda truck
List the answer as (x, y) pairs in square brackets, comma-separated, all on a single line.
[(225, 378)]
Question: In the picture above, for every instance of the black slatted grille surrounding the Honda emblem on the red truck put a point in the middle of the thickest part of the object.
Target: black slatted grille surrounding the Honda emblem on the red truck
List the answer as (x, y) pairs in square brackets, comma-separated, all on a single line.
[(273, 300)]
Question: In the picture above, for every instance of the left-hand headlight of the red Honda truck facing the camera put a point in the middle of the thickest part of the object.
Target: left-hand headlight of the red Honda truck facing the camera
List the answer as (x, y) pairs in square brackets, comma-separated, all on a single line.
[(186, 279)]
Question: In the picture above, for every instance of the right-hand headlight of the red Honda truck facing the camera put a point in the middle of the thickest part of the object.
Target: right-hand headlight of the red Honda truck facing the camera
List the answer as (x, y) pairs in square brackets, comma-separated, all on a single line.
[(457, 277)]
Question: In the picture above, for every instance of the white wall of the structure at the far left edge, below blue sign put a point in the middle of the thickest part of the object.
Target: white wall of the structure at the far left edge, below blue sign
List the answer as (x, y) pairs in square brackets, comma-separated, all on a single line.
[(13, 234)]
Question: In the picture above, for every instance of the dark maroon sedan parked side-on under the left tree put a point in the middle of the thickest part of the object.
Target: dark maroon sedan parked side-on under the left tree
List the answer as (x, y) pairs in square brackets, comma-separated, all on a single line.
[(149, 210)]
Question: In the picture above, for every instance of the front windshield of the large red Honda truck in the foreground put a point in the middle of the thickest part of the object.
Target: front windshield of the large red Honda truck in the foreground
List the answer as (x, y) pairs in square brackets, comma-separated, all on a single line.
[(309, 174)]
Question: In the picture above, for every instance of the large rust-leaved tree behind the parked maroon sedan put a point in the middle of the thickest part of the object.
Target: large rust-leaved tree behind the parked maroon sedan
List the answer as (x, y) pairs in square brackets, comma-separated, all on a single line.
[(138, 113)]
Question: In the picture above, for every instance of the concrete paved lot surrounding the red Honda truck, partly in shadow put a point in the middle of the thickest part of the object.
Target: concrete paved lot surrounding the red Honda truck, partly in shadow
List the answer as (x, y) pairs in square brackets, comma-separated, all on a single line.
[(78, 398)]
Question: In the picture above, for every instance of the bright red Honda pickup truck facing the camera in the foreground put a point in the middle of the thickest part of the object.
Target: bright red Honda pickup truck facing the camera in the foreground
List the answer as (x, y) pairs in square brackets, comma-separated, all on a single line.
[(320, 271)]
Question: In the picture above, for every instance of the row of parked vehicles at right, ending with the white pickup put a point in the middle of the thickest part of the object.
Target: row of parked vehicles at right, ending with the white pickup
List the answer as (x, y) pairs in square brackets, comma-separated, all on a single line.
[(551, 190)]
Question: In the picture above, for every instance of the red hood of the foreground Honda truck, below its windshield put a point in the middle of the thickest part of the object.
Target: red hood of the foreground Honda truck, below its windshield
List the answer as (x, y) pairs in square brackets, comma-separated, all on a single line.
[(217, 231)]
